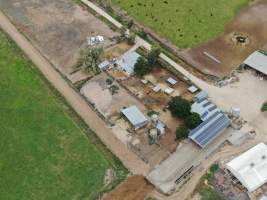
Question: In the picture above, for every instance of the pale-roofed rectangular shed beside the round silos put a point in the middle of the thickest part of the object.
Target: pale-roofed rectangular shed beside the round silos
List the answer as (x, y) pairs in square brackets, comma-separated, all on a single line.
[(135, 117)]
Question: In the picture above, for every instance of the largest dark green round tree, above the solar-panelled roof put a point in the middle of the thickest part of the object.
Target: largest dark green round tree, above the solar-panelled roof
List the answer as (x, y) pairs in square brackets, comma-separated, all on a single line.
[(179, 107)]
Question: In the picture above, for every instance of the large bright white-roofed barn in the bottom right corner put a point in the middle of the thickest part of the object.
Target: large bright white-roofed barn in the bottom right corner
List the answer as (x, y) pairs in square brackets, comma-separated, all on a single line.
[(250, 168)]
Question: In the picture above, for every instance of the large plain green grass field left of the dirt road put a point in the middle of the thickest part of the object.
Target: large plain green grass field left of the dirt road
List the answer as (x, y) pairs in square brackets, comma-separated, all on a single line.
[(46, 152)]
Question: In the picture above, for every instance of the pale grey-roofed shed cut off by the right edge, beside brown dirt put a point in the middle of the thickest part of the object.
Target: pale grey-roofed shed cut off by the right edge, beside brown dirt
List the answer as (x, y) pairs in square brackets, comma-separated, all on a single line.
[(257, 61)]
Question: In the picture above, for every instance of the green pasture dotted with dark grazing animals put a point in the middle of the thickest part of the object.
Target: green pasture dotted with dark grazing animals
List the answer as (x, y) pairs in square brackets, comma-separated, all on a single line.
[(185, 23)]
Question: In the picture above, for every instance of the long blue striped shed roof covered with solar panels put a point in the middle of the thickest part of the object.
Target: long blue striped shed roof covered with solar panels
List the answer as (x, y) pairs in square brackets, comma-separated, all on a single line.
[(210, 129)]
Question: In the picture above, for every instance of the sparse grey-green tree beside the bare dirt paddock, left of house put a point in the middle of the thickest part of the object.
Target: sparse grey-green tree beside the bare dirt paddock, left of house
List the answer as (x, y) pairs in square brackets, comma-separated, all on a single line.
[(92, 59)]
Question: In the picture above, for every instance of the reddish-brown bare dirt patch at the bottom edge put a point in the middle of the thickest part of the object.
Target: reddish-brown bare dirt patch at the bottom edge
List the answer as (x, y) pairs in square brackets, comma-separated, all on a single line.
[(134, 188)]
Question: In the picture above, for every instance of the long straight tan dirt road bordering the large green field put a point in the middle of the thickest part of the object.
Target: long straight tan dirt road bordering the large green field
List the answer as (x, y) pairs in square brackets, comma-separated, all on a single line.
[(128, 158)]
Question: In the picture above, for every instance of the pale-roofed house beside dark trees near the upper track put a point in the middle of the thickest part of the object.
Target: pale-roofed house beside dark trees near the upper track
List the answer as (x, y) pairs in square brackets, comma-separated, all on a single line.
[(127, 61)]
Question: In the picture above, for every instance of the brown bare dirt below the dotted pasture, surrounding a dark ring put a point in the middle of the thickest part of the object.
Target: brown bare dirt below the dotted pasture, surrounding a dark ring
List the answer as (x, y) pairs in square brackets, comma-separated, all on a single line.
[(251, 23)]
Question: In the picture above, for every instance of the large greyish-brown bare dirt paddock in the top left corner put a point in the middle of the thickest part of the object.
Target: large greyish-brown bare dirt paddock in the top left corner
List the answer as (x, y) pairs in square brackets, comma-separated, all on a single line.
[(57, 28)]
